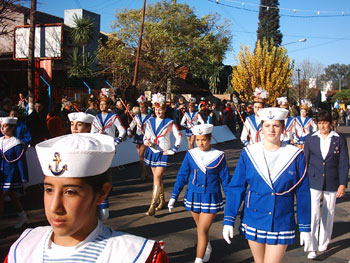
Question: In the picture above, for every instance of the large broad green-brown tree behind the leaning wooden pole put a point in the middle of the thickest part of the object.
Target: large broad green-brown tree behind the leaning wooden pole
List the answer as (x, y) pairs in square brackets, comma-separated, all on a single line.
[(173, 37)]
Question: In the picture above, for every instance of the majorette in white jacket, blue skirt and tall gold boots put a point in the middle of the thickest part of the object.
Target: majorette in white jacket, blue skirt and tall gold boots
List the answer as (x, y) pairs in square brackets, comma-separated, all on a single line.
[(157, 139)]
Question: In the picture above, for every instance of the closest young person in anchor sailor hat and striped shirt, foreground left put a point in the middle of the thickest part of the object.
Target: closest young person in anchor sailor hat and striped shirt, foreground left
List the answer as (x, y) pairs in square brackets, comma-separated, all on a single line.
[(75, 184)]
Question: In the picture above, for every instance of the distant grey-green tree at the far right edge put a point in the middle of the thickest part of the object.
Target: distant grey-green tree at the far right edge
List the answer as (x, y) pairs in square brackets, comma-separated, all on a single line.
[(339, 74)]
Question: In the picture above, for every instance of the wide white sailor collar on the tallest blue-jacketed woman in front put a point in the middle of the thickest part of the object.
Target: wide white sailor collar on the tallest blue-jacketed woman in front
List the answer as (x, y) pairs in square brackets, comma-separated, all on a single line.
[(287, 155)]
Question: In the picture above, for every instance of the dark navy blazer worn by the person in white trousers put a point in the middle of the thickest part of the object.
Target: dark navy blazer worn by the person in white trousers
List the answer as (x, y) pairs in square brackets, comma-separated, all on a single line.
[(327, 174)]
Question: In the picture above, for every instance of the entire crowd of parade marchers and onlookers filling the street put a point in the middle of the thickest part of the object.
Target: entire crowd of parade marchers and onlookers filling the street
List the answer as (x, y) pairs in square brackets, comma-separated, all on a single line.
[(288, 157)]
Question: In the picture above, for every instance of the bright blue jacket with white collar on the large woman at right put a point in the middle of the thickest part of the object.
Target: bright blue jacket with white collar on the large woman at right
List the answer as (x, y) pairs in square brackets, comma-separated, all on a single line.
[(264, 208)]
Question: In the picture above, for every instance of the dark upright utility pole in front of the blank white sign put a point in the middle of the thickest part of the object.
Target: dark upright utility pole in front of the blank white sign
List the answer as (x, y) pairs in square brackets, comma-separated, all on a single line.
[(31, 63)]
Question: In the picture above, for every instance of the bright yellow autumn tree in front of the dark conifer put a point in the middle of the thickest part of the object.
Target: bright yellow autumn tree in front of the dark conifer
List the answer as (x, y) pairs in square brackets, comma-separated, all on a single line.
[(268, 67)]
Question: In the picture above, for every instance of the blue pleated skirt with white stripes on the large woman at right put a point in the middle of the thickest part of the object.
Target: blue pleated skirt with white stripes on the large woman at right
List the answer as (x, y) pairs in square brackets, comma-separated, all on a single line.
[(266, 237)]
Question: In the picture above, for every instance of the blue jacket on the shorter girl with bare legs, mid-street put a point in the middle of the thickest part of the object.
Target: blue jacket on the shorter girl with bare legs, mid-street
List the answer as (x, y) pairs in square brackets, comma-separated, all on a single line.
[(202, 178)]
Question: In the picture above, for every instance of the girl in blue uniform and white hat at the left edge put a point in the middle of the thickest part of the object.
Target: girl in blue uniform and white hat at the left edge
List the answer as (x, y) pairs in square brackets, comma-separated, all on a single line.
[(13, 168)]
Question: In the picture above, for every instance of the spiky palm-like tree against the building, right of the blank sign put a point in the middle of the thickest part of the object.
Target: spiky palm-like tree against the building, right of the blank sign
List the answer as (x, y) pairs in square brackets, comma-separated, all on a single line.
[(83, 32)]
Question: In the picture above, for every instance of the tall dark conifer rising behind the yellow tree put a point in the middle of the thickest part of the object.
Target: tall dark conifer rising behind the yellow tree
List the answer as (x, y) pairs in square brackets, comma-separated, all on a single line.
[(269, 22)]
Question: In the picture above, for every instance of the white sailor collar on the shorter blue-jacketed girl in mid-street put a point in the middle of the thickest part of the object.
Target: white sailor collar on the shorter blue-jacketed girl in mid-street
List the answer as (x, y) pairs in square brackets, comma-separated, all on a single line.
[(211, 156)]
